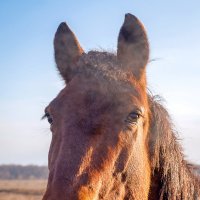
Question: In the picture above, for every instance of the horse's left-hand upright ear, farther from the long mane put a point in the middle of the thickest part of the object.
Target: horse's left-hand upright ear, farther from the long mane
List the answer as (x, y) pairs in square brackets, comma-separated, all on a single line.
[(67, 51)]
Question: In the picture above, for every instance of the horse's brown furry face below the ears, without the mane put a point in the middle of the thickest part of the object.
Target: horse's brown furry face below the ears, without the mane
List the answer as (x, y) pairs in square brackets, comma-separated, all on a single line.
[(97, 105)]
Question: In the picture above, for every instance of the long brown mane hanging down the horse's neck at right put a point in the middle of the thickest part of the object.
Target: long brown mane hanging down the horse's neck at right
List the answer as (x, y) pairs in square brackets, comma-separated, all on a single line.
[(173, 177)]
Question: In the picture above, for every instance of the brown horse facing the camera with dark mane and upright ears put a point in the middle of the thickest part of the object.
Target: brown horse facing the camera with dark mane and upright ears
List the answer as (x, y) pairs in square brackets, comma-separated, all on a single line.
[(111, 139)]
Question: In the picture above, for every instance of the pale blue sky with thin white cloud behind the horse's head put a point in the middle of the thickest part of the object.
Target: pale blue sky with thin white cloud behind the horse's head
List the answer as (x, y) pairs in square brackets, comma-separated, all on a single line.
[(29, 79)]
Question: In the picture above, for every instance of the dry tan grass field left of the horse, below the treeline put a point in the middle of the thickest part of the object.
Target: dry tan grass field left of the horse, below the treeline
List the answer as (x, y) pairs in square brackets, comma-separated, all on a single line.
[(22, 189)]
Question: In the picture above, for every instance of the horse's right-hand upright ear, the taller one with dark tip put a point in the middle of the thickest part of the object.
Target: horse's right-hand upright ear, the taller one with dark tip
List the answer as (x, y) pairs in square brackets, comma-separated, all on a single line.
[(133, 46)]
